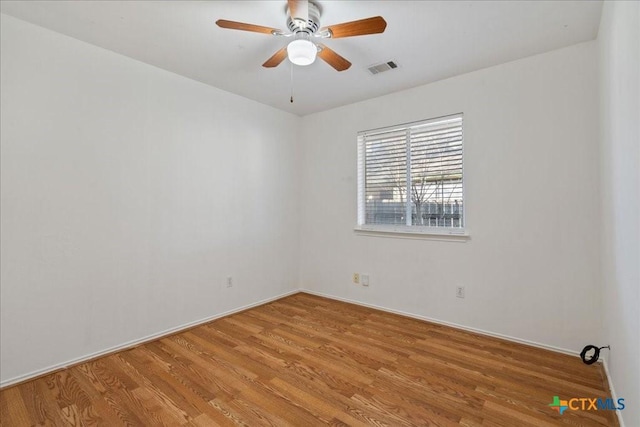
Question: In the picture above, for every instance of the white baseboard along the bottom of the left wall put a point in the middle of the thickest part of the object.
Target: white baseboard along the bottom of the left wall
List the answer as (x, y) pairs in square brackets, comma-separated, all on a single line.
[(134, 343)]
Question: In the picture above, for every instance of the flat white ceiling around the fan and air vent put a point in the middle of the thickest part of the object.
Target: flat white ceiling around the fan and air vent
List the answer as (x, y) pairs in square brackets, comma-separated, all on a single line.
[(430, 40)]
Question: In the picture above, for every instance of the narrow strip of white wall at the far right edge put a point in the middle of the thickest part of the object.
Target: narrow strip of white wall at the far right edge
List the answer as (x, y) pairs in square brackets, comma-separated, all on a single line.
[(619, 48)]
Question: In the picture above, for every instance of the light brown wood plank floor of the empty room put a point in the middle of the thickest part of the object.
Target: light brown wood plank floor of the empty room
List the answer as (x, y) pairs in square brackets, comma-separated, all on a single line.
[(305, 361)]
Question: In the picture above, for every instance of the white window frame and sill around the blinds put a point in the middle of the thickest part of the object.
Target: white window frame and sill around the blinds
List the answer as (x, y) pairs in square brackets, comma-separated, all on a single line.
[(407, 231)]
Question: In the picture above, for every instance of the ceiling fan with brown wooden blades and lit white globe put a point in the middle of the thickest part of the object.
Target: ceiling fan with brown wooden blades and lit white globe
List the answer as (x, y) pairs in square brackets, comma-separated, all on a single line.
[(303, 22)]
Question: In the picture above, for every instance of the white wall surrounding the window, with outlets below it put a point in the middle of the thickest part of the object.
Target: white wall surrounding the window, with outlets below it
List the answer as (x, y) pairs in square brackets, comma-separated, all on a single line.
[(531, 267)]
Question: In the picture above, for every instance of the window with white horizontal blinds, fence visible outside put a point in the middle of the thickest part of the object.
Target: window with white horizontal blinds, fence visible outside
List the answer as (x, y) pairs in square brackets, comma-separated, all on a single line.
[(410, 177)]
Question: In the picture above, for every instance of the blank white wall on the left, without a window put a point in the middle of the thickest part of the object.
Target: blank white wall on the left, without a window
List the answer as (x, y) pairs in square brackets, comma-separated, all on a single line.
[(128, 195)]
